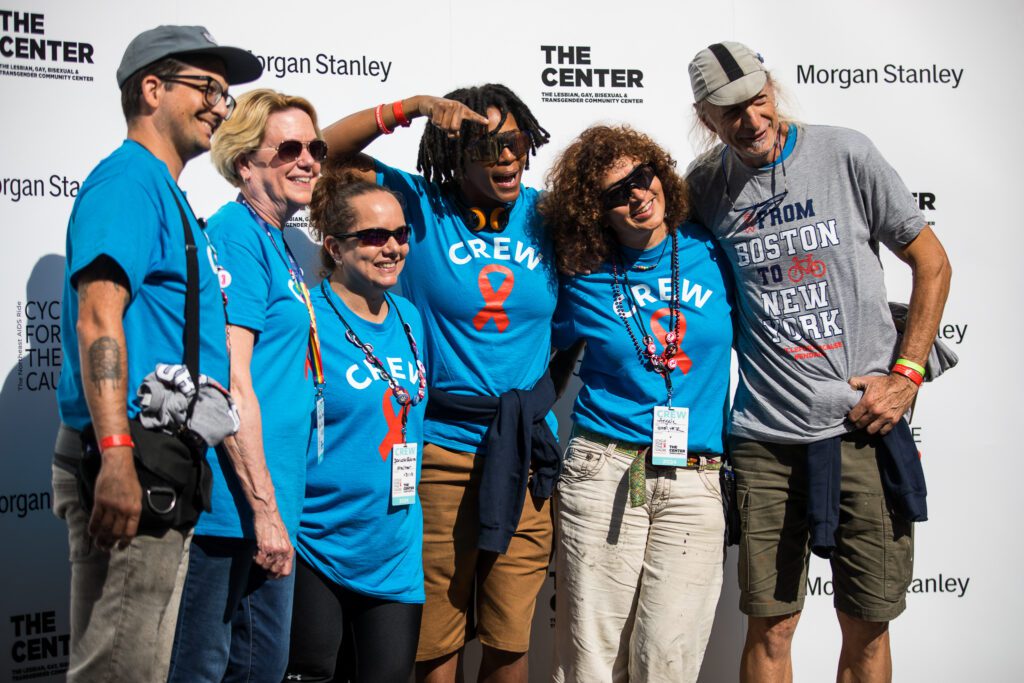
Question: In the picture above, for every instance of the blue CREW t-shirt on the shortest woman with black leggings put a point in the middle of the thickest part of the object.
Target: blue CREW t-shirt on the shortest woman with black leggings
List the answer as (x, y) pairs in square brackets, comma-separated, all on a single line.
[(351, 533)]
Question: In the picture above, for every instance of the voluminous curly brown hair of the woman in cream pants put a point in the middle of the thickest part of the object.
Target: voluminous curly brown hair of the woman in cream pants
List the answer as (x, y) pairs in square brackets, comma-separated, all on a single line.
[(573, 205)]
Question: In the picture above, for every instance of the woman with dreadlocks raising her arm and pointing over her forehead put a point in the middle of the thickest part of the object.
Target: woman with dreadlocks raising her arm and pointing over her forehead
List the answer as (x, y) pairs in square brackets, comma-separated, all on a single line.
[(482, 273)]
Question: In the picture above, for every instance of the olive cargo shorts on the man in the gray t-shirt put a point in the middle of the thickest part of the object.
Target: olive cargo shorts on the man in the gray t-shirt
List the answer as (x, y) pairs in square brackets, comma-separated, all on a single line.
[(873, 563)]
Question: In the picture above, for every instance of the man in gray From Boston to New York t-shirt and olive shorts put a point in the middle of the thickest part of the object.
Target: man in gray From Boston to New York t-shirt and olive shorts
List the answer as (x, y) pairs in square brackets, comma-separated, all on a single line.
[(799, 211)]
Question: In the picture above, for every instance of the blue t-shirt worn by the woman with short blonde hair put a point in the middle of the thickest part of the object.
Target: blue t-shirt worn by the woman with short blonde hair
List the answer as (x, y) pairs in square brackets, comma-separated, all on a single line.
[(265, 298)]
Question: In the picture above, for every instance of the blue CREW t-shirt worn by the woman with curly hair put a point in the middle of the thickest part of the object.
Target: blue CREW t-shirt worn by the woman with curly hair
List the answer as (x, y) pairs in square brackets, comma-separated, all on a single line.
[(619, 394)]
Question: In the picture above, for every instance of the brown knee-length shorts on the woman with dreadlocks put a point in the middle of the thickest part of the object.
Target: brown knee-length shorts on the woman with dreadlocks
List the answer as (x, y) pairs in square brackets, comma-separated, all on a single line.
[(470, 592)]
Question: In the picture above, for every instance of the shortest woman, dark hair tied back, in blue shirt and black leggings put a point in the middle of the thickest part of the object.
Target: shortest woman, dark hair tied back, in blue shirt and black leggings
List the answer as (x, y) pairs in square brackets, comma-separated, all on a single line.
[(359, 574)]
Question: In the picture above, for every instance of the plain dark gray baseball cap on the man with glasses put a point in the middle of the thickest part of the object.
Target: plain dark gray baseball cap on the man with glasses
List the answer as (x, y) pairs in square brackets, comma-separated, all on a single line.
[(166, 41)]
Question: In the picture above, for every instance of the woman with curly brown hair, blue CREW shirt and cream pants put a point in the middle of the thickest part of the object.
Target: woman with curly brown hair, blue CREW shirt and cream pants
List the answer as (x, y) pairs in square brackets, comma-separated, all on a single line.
[(642, 527)]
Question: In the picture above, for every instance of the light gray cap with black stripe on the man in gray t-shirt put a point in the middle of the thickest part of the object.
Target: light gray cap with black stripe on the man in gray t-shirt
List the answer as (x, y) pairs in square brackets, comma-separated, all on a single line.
[(728, 74)]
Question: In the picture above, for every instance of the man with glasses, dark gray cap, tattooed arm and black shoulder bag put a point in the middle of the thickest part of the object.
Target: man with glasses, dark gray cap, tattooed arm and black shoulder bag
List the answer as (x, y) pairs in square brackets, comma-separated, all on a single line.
[(125, 290)]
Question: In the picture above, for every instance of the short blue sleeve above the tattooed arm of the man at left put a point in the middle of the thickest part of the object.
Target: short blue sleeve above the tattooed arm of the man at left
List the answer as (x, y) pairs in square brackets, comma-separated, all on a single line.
[(118, 219)]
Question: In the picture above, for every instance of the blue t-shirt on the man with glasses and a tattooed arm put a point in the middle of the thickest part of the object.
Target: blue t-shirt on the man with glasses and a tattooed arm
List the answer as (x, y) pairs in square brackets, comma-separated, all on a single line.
[(126, 211)]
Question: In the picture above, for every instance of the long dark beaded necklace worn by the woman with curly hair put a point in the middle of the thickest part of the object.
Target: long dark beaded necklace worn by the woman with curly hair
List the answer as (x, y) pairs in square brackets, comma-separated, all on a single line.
[(647, 352)]
